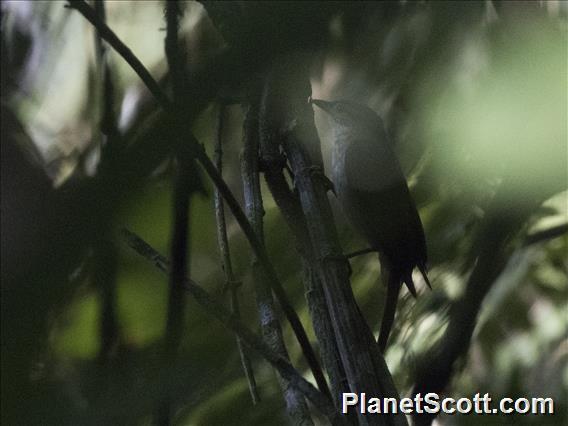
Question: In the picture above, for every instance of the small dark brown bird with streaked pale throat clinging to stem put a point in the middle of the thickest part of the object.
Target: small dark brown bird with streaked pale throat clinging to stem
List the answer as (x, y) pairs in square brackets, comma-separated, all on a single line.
[(374, 195)]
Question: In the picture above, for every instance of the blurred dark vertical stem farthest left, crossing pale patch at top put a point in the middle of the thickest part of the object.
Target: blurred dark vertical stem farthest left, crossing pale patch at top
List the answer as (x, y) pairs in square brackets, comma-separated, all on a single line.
[(105, 249)]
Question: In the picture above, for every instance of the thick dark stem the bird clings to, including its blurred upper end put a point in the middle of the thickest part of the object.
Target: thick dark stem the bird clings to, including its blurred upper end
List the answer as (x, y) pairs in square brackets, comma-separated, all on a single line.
[(365, 368)]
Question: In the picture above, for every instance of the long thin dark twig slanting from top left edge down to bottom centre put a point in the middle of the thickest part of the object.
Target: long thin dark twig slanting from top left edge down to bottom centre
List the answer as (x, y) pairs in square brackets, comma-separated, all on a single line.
[(218, 181)]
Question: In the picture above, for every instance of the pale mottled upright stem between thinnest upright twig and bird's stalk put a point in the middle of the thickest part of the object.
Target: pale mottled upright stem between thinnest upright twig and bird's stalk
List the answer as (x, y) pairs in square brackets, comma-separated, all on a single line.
[(269, 322)]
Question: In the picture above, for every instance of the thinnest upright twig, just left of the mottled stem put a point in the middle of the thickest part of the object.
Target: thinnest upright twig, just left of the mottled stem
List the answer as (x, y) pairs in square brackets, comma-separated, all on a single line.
[(226, 259)]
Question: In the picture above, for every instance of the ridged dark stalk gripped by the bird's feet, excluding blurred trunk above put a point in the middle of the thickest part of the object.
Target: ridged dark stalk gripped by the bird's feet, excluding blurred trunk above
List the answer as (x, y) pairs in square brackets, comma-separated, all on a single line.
[(356, 344)]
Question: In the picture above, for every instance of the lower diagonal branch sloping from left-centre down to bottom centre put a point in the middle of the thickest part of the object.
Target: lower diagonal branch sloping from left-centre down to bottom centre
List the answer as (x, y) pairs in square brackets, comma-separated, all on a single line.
[(251, 340)]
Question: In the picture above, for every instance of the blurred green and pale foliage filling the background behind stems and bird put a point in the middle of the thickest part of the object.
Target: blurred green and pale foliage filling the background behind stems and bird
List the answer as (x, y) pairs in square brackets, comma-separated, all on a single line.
[(474, 96)]
